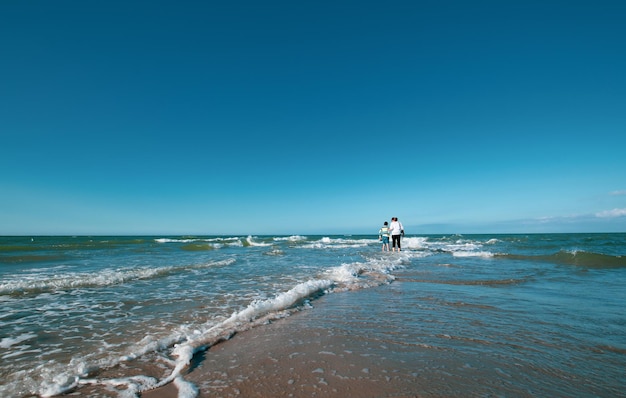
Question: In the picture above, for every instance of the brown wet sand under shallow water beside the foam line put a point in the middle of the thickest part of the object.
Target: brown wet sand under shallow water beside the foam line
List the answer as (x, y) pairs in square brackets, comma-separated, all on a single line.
[(301, 356)]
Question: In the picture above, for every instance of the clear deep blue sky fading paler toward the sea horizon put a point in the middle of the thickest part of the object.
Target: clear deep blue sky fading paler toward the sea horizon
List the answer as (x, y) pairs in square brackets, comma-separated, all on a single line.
[(283, 117)]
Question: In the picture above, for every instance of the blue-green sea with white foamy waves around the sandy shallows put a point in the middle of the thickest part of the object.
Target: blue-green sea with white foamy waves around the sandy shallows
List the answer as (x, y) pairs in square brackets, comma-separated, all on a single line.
[(511, 315)]
